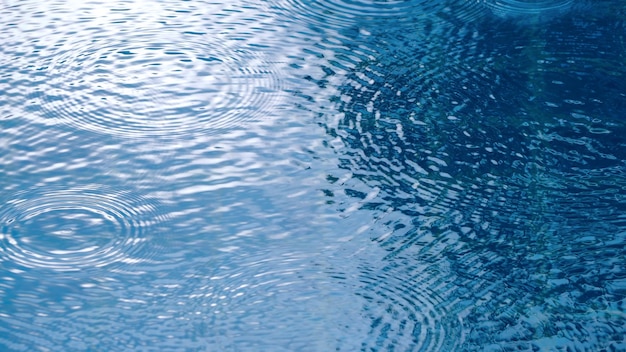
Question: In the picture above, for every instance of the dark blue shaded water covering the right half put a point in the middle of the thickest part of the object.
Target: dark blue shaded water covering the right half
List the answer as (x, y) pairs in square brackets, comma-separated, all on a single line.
[(496, 151)]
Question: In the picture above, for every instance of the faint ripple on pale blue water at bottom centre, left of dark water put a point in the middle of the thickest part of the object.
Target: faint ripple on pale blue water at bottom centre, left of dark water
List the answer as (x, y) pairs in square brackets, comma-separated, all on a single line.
[(283, 294)]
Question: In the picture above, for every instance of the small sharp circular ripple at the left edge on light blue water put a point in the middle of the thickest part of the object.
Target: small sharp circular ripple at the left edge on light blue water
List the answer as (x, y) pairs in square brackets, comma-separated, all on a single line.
[(72, 229)]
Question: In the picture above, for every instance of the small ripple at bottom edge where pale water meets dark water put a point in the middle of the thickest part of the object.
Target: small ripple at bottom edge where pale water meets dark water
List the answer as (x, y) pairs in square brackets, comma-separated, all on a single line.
[(409, 308)]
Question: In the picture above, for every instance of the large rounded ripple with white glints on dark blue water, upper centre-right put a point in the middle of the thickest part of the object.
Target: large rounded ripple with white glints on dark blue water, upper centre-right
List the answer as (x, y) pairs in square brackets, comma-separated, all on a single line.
[(409, 125)]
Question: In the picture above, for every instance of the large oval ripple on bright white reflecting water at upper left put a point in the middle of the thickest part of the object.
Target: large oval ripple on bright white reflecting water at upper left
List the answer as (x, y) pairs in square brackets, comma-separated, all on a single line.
[(151, 85)]
